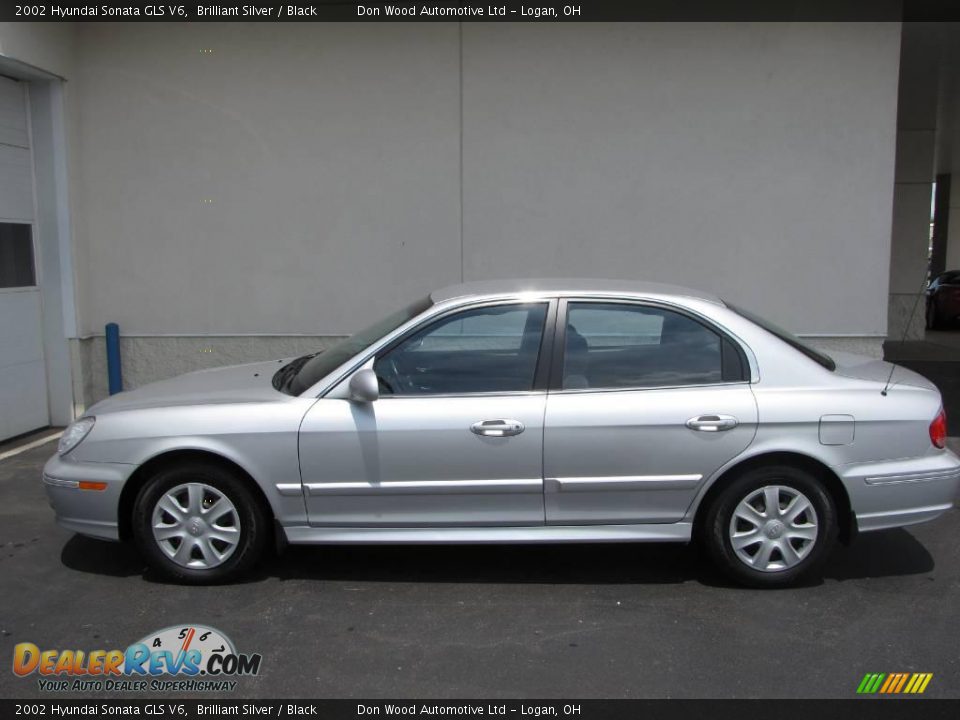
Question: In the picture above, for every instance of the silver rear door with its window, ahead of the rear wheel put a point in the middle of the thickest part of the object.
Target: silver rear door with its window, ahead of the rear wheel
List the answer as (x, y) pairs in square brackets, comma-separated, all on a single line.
[(646, 402)]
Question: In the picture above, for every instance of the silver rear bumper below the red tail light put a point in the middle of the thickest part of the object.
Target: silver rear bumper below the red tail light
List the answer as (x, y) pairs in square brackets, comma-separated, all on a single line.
[(902, 492)]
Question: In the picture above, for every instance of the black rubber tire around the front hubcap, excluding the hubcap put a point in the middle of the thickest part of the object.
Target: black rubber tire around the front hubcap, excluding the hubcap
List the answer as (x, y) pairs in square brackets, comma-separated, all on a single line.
[(253, 524)]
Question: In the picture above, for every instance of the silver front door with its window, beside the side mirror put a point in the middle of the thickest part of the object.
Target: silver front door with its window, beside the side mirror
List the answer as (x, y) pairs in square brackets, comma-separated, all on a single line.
[(456, 436)]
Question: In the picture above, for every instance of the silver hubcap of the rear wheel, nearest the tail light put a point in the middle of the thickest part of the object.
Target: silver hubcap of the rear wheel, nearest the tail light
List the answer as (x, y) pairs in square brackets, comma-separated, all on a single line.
[(773, 528)]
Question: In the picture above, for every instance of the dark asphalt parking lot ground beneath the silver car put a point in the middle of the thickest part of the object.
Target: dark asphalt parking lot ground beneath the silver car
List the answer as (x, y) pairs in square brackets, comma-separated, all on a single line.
[(574, 621)]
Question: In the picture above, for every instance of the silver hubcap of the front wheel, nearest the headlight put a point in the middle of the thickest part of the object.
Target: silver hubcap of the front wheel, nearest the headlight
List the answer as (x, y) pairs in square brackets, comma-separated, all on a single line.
[(196, 526)]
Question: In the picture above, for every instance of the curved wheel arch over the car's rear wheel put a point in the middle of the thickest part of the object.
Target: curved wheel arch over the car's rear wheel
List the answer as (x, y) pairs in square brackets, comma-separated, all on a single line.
[(845, 518)]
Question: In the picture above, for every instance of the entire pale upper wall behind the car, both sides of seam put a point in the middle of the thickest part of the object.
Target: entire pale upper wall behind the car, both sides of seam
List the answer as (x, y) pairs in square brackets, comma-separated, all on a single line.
[(753, 160)]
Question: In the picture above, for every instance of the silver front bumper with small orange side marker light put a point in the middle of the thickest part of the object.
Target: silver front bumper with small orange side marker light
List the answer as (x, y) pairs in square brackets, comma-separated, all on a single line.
[(88, 512)]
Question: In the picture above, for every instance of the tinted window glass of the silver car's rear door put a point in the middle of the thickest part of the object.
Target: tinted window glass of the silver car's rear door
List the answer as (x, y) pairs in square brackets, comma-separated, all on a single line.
[(610, 345)]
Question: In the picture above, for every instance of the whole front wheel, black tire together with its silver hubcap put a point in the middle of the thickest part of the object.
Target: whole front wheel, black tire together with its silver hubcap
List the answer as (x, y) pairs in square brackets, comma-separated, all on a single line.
[(182, 542)]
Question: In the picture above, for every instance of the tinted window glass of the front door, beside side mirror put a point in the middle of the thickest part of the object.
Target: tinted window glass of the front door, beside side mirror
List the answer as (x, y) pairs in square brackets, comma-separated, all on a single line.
[(484, 350)]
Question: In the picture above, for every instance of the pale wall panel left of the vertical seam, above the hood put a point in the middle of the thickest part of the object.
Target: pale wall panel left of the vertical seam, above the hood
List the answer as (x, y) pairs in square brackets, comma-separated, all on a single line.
[(295, 179)]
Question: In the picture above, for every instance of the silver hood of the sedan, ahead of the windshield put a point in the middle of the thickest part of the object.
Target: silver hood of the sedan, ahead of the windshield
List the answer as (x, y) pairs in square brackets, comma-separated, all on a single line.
[(249, 383)]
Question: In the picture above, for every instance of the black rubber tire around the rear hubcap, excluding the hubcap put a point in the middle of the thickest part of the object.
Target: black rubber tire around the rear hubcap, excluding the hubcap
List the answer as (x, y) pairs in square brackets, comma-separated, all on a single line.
[(718, 518)]
